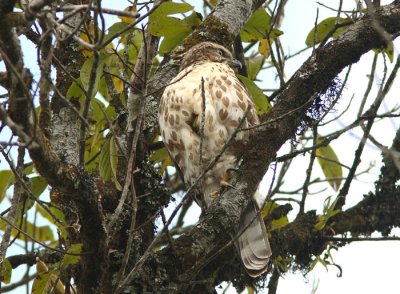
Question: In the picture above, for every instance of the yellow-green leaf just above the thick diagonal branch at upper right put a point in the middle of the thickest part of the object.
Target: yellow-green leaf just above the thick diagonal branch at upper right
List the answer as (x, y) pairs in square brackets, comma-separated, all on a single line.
[(324, 27)]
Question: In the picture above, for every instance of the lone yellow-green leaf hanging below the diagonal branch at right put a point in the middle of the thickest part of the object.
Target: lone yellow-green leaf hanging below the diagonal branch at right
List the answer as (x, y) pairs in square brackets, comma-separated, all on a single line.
[(330, 166)]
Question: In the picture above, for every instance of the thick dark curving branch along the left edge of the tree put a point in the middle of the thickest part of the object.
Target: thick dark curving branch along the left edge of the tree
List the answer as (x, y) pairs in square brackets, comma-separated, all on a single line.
[(79, 186)]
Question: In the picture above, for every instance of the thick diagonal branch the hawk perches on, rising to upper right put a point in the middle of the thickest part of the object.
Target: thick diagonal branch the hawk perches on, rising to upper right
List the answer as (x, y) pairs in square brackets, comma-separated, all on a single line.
[(312, 79)]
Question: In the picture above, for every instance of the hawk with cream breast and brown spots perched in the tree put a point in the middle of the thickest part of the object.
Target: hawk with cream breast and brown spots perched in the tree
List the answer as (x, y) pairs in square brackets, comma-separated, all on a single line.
[(199, 111)]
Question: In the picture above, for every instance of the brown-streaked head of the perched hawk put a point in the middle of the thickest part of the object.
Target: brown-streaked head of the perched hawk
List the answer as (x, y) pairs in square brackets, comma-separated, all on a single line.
[(208, 52)]
